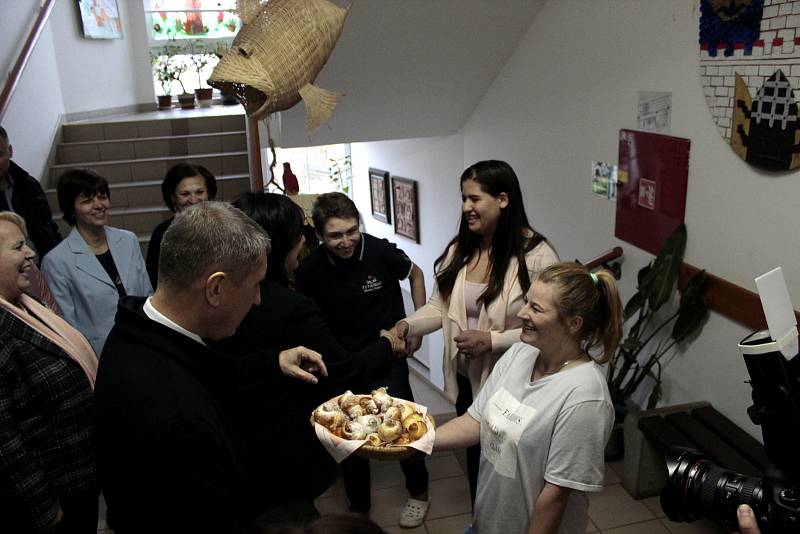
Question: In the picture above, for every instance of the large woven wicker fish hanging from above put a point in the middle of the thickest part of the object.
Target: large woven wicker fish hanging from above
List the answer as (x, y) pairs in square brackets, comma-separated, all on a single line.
[(277, 55)]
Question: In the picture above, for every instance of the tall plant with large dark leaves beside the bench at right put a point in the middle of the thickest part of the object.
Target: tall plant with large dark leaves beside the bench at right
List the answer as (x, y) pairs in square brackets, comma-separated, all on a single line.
[(648, 346)]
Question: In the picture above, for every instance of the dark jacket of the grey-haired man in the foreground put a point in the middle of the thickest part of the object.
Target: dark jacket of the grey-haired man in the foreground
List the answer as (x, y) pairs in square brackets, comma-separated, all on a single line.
[(169, 454)]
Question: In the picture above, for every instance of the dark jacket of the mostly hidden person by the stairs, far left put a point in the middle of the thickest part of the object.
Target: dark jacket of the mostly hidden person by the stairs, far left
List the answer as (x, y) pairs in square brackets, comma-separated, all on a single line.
[(30, 202)]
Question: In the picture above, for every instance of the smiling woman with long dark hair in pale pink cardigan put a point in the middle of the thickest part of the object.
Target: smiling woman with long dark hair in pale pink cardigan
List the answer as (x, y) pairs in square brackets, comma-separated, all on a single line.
[(479, 286)]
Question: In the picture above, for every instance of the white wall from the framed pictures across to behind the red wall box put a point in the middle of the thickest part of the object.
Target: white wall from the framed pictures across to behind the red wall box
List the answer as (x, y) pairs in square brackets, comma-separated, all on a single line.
[(557, 104)]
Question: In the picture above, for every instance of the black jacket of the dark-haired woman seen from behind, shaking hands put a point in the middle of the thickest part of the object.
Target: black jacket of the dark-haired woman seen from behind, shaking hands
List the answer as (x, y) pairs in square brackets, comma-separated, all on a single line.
[(286, 319)]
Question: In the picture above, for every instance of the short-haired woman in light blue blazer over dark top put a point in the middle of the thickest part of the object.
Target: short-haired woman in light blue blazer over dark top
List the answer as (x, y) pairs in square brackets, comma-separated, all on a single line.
[(96, 264)]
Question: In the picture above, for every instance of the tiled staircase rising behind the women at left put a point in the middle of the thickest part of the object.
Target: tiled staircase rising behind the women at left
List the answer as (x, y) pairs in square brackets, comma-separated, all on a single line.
[(134, 154)]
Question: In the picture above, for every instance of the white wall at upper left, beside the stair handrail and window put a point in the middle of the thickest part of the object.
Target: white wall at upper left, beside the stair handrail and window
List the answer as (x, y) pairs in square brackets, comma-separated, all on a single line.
[(67, 73)]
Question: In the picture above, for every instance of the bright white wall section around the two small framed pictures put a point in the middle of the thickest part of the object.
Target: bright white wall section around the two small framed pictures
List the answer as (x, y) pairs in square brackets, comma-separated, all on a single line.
[(435, 163)]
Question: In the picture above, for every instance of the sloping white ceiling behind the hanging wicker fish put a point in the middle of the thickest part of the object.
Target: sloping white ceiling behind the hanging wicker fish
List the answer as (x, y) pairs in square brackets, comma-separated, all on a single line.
[(413, 68)]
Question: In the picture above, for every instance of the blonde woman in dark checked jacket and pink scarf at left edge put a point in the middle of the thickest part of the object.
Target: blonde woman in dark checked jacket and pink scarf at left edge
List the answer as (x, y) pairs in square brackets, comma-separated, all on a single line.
[(47, 374)]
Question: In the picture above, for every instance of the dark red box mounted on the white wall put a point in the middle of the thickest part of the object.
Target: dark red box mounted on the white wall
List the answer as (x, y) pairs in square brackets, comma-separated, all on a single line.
[(652, 203)]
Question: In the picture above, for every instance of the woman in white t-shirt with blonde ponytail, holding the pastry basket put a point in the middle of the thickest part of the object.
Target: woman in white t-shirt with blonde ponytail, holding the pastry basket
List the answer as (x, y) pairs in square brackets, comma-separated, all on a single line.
[(544, 415)]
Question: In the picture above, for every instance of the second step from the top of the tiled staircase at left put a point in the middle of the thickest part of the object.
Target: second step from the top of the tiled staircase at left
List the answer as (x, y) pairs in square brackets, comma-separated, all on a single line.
[(78, 152)]
